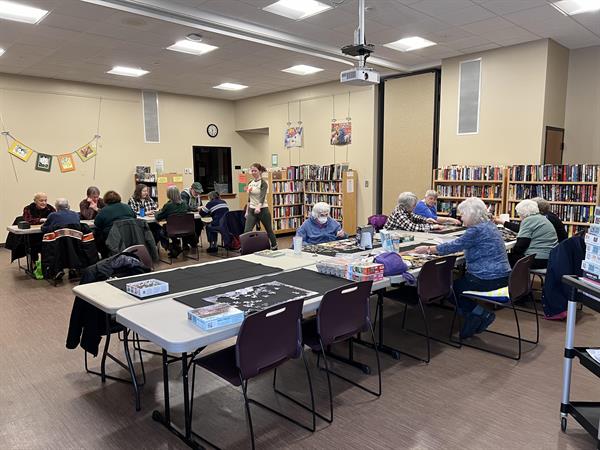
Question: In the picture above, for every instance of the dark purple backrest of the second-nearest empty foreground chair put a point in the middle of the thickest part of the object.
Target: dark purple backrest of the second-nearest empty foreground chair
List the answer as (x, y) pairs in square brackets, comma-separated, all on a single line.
[(344, 312)]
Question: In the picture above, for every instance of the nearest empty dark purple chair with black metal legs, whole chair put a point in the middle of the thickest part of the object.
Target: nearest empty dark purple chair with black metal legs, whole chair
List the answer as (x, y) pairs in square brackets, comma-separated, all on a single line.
[(266, 340)]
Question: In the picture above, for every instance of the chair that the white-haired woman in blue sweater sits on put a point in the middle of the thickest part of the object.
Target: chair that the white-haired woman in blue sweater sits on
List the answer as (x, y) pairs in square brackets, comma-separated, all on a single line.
[(519, 286)]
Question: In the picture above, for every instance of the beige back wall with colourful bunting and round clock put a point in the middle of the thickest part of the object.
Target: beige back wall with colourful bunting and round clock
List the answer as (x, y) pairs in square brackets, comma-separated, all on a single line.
[(58, 116)]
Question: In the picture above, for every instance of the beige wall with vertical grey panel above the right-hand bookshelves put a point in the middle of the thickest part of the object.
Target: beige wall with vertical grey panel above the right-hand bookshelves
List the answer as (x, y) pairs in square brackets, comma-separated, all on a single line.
[(513, 81)]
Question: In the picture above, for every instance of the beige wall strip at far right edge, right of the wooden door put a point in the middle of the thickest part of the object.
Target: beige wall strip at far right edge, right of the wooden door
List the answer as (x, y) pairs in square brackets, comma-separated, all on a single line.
[(582, 123)]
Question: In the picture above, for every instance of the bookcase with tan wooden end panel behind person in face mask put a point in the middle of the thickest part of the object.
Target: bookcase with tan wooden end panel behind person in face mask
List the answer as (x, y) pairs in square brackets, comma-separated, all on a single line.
[(336, 185)]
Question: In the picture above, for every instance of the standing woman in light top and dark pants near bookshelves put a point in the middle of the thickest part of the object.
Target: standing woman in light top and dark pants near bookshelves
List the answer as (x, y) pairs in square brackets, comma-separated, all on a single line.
[(258, 209)]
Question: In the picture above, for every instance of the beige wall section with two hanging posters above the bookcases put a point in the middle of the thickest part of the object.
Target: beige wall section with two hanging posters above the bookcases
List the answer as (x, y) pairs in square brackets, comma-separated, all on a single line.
[(271, 111)]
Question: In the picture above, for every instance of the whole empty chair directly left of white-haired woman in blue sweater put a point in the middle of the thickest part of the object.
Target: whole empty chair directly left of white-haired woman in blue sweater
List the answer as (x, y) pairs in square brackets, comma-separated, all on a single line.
[(434, 284)]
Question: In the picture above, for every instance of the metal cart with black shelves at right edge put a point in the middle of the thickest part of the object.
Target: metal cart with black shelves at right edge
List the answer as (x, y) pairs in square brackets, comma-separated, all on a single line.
[(587, 414)]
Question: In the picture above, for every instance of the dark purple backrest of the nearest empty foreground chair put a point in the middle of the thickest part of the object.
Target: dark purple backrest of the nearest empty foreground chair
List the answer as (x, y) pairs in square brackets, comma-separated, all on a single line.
[(269, 338)]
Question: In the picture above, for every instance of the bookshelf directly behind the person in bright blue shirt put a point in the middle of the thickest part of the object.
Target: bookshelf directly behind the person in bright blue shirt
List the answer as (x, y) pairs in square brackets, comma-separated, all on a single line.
[(456, 183)]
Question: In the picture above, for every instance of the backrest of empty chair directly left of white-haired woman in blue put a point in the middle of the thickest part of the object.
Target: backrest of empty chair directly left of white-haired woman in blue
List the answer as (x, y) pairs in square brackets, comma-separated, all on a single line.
[(435, 279)]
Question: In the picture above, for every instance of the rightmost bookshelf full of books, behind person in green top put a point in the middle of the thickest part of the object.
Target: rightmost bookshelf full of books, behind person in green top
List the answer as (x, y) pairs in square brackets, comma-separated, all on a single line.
[(572, 190)]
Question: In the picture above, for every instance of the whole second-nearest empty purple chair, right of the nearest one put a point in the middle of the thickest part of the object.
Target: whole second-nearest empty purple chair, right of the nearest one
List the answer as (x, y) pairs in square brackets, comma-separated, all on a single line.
[(343, 313)]
